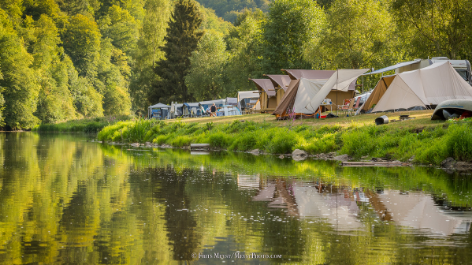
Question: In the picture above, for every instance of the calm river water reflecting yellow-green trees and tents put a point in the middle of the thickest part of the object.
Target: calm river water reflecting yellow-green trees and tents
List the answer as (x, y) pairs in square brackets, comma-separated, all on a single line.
[(66, 200)]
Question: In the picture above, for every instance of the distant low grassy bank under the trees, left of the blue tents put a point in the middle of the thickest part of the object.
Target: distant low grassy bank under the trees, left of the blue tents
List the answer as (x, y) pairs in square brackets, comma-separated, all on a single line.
[(92, 125)]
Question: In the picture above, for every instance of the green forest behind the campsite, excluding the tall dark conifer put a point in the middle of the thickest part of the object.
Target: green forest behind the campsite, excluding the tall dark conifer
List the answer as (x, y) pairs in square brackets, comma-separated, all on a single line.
[(70, 59)]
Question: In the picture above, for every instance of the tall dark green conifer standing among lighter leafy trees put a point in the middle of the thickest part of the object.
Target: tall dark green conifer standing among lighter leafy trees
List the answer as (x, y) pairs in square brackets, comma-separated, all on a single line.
[(181, 40)]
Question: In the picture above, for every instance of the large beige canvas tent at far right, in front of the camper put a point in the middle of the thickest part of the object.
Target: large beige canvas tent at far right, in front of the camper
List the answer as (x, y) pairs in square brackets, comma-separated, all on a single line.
[(428, 86)]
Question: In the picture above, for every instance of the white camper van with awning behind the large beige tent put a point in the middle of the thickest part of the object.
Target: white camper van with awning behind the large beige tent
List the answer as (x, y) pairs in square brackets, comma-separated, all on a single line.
[(461, 66)]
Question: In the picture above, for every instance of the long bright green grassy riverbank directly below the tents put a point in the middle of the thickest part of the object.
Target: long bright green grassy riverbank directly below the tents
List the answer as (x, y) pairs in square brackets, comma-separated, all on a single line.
[(429, 142)]
